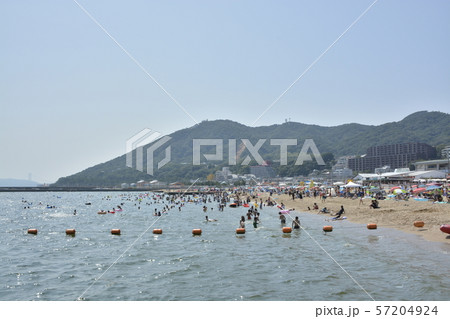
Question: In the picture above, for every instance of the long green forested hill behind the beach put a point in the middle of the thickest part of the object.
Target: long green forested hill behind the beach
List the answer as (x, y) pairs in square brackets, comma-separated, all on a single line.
[(349, 139)]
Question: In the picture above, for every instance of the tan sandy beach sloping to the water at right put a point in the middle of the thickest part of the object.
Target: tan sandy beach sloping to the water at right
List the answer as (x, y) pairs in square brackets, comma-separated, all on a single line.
[(395, 214)]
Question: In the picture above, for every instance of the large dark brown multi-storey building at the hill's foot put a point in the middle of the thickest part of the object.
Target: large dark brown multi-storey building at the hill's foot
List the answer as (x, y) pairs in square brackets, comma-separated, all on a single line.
[(393, 155)]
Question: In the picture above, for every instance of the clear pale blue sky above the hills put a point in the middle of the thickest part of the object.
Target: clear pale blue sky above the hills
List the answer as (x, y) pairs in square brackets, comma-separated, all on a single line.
[(71, 96)]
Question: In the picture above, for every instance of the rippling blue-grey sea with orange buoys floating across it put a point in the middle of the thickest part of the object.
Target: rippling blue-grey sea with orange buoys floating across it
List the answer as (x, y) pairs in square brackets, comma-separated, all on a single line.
[(351, 263)]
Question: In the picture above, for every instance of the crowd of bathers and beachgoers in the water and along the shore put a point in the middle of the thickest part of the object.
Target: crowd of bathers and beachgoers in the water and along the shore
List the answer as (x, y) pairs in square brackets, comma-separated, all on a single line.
[(255, 201)]
